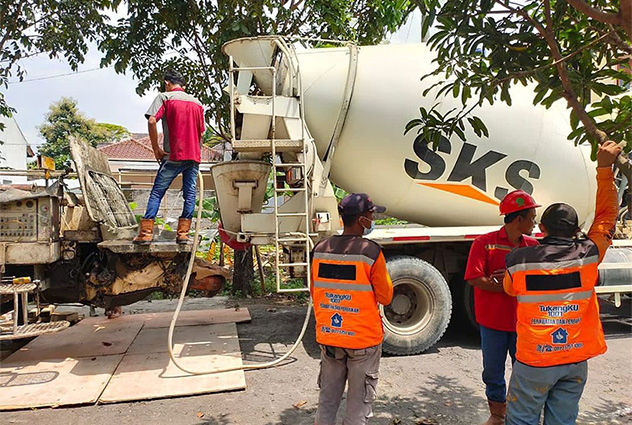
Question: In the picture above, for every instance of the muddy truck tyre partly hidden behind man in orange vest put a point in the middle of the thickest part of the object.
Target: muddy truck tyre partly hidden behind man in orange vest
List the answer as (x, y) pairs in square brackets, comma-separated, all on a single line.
[(421, 308)]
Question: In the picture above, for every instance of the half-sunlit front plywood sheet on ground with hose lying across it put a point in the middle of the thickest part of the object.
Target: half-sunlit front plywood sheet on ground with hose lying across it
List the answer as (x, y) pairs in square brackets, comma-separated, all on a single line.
[(152, 375)]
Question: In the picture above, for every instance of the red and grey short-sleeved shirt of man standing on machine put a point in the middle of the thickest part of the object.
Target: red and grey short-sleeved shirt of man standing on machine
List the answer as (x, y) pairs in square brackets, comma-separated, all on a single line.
[(182, 118)]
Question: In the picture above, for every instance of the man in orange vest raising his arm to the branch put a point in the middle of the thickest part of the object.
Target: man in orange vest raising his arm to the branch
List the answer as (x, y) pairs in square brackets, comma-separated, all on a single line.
[(558, 314)]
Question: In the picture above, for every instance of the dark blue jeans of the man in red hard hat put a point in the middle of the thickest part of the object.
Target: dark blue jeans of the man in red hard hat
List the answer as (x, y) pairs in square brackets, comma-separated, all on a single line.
[(495, 345)]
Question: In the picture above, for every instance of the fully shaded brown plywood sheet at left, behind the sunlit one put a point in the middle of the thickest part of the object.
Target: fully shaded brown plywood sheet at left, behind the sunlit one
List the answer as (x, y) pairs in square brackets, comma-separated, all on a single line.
[(83, 340)]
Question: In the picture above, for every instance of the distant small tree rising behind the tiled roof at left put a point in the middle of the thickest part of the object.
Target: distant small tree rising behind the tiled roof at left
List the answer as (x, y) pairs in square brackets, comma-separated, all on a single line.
[(64, 120)]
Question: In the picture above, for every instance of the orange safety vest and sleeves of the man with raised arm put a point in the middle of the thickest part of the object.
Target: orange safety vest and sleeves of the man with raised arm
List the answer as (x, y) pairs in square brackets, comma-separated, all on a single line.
[(558, 313)]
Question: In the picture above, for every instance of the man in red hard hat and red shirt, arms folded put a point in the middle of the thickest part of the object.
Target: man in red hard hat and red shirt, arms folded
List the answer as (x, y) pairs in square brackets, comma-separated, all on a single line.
[(496, 311)]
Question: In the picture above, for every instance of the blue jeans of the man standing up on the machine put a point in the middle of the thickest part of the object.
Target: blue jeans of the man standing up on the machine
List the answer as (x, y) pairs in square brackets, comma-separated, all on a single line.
[(167, 172)]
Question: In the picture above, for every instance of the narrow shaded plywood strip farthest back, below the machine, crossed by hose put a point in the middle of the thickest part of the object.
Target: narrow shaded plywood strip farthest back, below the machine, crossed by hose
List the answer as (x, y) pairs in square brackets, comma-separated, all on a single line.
[(186, 318)]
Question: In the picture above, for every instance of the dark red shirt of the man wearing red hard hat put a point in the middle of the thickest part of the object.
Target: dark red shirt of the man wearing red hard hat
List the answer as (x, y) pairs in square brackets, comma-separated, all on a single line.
[(494, 310)]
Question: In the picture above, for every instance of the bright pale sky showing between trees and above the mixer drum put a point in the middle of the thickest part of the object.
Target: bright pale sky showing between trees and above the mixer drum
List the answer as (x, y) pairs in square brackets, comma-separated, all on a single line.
[(100, 92)]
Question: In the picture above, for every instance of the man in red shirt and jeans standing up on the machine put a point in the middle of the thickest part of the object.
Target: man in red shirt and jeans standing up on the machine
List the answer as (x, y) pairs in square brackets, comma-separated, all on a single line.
[(182, 118)]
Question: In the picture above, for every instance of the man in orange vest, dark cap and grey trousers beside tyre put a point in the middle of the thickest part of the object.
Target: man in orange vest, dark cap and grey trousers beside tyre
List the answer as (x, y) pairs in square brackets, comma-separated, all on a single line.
[(349, 279)]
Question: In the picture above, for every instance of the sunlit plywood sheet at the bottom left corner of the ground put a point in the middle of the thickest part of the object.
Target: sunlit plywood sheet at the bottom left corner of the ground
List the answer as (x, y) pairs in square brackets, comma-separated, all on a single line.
[(54, 382)]
